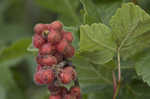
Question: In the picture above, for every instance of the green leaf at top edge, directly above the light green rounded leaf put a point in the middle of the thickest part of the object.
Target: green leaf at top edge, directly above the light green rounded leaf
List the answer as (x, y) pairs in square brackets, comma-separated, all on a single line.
[(91, 14)]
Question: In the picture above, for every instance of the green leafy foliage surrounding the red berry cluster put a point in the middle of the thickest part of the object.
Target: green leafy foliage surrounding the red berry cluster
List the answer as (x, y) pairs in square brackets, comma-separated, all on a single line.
[(99, 28)]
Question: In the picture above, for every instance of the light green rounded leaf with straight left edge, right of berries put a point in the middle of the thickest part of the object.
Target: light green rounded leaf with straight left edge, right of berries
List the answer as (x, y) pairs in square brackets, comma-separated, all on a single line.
[(96, 43)]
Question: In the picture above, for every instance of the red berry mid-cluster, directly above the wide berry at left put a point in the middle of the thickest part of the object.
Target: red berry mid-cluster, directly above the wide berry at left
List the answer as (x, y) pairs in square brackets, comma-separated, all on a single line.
[(46, 49)]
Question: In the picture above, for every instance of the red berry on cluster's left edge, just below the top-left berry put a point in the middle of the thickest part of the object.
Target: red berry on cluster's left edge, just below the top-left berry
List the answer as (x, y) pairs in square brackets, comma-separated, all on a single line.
[(38, 41)]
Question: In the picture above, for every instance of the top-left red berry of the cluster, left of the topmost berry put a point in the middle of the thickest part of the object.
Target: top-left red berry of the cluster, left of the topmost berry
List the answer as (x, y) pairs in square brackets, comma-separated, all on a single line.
[(39, 28)]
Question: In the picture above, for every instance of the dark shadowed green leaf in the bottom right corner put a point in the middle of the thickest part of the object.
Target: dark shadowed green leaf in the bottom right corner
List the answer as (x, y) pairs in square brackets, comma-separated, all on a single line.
[(135, 90)]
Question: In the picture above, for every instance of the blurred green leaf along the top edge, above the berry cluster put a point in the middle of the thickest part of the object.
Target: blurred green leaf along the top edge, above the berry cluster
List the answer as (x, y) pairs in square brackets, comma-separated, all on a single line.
[(64, 7)]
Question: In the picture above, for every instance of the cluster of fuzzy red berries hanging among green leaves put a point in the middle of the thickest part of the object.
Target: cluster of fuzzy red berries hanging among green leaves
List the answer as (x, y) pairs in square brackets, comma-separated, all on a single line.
[(53, 68)]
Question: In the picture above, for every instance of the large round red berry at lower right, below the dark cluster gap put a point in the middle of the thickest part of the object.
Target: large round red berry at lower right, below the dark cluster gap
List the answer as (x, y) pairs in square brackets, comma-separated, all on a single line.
[(67, 75)]
